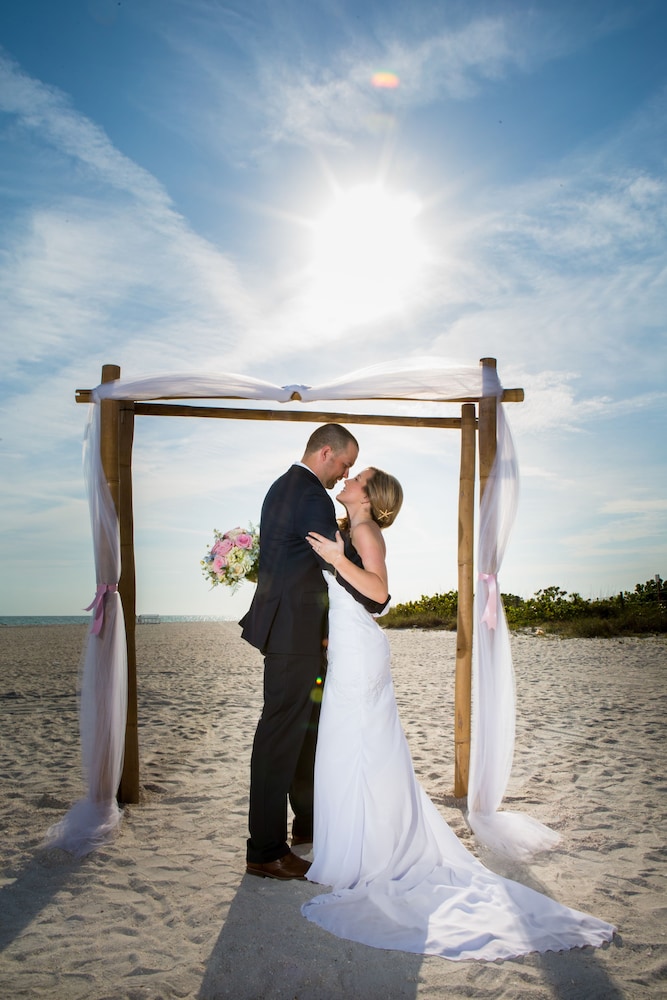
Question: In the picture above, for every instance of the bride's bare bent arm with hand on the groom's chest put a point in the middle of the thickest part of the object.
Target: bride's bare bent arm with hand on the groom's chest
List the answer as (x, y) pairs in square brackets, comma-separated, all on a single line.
[(371, 579)]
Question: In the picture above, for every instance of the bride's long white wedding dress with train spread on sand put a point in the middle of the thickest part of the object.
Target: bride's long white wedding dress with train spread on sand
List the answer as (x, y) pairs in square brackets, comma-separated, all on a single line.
[(401, 878)]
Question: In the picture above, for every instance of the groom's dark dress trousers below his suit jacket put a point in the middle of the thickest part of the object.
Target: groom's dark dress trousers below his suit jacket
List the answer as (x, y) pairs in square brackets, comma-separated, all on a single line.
[(283, 755)]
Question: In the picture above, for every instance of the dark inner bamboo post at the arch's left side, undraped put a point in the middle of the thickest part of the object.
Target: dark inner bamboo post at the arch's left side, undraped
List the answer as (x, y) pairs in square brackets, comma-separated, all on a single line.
[(128, 790)]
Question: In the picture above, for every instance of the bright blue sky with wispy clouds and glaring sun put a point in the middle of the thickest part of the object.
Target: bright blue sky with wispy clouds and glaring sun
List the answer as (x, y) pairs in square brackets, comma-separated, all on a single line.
[(296, 190)]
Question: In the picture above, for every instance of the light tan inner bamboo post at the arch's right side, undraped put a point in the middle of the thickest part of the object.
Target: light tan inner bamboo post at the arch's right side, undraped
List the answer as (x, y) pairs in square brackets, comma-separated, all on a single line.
[(464, 615)]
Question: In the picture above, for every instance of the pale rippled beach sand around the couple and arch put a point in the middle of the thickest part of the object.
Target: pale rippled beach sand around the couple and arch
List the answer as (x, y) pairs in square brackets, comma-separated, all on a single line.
[(166, 909)]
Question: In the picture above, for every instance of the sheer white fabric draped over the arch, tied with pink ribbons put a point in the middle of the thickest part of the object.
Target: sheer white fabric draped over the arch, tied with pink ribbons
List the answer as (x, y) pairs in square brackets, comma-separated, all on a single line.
[(104, 697)]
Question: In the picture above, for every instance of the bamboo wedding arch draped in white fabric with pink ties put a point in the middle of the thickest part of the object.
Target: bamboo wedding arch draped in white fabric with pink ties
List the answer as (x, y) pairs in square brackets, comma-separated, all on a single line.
[(483, 737)]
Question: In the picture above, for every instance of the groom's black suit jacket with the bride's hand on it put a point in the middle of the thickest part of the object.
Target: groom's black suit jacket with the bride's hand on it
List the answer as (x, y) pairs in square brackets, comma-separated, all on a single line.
[(288, 613)]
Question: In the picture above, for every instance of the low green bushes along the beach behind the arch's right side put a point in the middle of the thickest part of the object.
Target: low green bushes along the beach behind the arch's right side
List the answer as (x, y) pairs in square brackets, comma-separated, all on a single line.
[(551, 611)]
